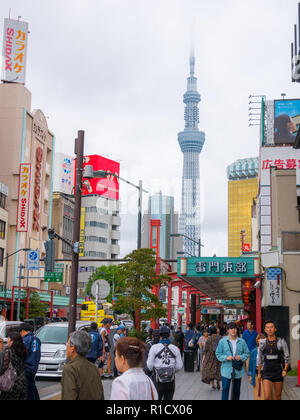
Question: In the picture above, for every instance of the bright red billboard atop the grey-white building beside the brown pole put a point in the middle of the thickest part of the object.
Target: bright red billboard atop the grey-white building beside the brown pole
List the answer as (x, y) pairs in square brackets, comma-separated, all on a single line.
[(106, 187)]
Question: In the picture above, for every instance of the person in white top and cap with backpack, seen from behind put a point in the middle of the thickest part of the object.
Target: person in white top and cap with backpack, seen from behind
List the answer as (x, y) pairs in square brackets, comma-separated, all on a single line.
[(164, 360)]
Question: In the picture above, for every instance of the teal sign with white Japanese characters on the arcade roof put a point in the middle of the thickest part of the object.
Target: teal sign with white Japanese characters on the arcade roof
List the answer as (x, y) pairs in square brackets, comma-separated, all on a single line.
[(220, 267)]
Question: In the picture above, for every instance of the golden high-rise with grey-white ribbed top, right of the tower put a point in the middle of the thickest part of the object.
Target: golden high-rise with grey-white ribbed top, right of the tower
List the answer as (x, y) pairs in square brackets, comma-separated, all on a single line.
[(242, 190)]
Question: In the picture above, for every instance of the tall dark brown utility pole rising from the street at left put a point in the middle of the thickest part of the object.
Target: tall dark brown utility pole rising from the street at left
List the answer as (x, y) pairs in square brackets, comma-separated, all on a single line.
[(79, 151)]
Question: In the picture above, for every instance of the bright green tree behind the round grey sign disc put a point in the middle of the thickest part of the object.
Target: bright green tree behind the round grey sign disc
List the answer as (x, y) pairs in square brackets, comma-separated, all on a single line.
[(111, 275)]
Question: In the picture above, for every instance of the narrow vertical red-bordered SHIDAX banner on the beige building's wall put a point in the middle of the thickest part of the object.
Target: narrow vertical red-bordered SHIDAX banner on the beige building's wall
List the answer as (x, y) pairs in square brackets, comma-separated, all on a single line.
[(24, 197)]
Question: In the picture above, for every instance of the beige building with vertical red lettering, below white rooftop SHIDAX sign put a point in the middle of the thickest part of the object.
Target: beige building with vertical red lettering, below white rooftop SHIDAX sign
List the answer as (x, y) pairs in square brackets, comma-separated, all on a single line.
[(25, 138)]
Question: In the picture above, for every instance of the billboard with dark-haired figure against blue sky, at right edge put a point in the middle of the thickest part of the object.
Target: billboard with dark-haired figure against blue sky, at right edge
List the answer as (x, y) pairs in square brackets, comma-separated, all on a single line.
[(286, 121)]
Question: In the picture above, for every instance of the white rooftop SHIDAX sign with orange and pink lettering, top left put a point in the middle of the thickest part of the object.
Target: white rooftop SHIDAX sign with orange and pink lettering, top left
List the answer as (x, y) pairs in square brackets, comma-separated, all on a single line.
[(14, 51)]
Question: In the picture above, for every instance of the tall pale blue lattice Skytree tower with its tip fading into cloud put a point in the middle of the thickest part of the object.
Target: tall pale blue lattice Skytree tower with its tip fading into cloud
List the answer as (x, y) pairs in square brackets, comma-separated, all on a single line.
[(191, 141)]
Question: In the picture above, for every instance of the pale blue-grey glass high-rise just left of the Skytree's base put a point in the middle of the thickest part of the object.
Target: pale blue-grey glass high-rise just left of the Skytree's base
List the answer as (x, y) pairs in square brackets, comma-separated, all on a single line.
[(161, 208)]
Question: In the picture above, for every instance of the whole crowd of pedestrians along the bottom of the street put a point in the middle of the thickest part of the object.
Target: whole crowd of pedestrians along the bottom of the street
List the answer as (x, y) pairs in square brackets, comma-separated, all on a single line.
[(146, 370)]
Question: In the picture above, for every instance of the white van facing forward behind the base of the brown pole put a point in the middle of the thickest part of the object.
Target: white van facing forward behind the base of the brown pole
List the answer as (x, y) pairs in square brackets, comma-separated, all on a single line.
[(53, 339)]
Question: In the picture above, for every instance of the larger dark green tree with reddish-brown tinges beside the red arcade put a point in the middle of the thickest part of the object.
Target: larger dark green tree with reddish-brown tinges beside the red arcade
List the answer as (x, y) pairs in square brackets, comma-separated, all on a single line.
[(138, 273)]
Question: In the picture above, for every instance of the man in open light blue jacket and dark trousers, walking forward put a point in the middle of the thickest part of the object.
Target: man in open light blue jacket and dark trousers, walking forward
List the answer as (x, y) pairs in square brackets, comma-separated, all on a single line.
[(232, 352)]
